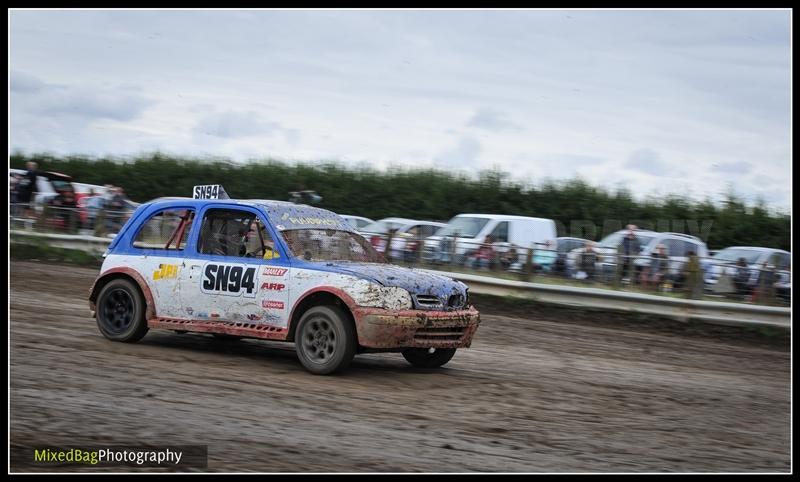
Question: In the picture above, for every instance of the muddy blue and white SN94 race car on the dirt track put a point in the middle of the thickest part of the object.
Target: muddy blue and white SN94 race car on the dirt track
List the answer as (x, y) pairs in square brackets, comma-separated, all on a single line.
[(279, 271)]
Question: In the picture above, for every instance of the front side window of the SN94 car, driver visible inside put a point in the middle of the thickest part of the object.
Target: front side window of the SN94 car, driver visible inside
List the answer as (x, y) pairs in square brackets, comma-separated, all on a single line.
[(232, 232)]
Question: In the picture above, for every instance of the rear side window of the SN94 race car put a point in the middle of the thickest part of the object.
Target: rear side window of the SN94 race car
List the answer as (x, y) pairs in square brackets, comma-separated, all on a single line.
[(167, 230)]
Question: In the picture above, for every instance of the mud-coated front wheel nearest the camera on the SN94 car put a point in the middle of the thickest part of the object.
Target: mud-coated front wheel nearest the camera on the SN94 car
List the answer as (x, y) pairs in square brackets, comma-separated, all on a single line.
[(325, 340)]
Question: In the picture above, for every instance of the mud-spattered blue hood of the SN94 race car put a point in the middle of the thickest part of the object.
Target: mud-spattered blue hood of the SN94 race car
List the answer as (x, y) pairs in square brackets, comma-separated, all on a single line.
[(414, 281)]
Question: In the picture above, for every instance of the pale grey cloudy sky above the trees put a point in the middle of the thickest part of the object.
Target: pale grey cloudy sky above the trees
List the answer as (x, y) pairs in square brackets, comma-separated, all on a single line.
[(684, 102)]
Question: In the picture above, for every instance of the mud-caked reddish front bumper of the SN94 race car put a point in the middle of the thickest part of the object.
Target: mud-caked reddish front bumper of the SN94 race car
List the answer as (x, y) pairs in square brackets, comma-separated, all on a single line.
[(386, 329)]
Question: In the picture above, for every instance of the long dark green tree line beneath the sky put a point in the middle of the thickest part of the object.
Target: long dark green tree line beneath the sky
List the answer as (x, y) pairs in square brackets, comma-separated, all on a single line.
[(578, 208)]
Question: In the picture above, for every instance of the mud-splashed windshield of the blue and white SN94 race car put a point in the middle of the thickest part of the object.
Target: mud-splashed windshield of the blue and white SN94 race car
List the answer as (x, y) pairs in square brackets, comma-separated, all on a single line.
[(330, 245)]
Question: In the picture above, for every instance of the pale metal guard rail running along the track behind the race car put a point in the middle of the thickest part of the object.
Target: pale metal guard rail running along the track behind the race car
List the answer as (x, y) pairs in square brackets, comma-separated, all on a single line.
[(582, 297)]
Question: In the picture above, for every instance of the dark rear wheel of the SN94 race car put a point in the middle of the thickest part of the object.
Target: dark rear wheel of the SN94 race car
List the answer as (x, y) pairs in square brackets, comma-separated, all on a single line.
[(120, 312)]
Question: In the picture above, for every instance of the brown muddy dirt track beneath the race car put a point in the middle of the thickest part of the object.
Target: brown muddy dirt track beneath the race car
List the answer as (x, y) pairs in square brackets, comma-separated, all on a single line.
[(531, 395)]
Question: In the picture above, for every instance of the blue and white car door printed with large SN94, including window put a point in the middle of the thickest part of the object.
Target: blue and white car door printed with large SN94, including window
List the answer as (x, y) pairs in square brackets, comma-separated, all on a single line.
[(237, 272)]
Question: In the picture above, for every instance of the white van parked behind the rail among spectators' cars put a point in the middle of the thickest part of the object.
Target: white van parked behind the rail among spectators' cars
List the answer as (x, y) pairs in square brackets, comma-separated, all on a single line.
[(471, 230)]
